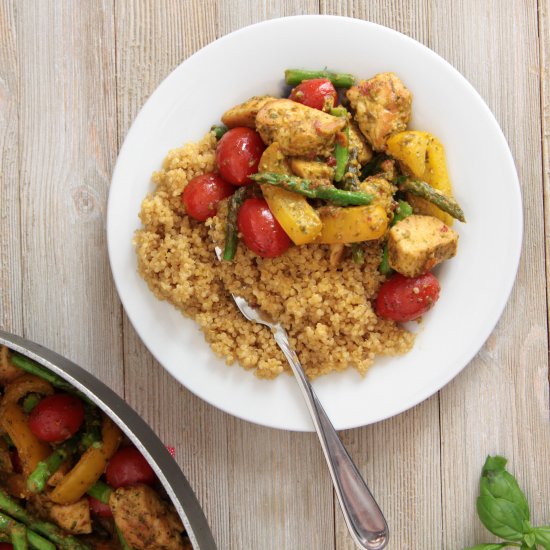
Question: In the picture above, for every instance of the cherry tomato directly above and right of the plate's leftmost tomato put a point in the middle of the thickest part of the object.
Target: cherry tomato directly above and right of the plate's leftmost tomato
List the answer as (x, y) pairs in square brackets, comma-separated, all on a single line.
[(238, 155)]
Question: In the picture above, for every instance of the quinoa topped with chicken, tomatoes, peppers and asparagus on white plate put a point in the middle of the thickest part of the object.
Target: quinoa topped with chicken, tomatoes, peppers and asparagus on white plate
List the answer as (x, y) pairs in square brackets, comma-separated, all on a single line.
[(331, 214)]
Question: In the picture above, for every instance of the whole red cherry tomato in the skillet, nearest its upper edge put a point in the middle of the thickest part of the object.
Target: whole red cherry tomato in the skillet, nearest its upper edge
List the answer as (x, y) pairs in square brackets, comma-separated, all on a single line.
[(57, 417)]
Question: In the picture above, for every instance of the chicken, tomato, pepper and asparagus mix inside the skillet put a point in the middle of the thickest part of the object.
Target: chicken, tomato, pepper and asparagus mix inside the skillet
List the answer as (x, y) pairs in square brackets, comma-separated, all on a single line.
[(68, 478)]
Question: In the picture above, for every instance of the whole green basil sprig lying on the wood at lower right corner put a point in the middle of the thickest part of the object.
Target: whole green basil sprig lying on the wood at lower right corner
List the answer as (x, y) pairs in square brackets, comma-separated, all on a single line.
[(504, 510)]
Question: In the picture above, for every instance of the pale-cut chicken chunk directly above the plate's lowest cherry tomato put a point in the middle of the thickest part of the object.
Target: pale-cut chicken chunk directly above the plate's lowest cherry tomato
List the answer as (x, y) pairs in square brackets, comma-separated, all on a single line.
[(418, 243)]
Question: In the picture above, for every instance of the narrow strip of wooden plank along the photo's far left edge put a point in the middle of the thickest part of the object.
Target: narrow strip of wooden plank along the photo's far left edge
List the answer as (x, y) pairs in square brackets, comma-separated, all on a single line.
[(11, 309)]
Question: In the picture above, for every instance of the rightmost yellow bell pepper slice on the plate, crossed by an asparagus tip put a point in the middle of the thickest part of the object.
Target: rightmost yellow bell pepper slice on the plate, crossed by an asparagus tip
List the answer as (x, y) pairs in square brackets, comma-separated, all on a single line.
[(423, 156)]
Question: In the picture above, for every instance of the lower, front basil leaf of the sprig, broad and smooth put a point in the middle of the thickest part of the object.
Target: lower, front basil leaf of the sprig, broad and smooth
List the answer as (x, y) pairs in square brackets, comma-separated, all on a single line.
[(502, 517)]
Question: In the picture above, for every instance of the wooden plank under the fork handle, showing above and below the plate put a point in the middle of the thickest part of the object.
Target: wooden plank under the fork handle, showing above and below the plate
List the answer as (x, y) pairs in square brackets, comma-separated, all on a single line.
[(399, 457)]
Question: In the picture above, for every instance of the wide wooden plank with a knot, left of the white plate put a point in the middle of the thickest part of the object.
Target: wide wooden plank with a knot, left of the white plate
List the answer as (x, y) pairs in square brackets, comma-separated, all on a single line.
[(67, 150)]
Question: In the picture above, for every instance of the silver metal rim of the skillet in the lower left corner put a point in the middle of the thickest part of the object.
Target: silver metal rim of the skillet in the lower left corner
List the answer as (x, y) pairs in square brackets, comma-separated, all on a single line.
[(142, 436)]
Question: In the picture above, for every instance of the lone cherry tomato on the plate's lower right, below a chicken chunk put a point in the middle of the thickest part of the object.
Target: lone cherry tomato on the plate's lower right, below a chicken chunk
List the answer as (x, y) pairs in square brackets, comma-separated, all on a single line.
[(404, 299)]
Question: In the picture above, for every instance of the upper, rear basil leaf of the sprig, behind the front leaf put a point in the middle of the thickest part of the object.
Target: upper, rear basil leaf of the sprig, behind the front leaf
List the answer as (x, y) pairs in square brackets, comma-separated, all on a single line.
[(498, 483)]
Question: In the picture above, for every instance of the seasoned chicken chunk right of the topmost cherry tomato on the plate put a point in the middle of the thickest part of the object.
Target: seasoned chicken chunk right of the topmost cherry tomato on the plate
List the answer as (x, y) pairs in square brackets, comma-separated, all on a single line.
[(382, 107)]
